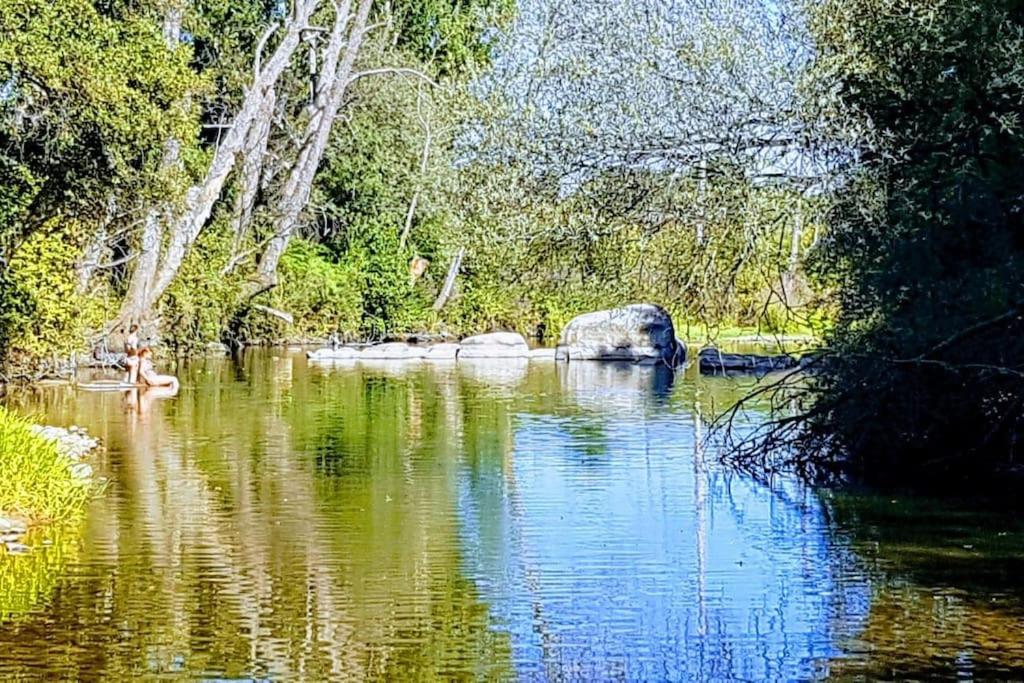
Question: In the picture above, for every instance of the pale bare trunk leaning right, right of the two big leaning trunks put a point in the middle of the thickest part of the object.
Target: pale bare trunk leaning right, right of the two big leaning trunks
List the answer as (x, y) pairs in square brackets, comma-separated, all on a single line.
[(301, 181)]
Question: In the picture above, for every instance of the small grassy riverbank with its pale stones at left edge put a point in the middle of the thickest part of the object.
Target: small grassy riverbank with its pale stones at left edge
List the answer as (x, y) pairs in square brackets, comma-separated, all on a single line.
[(44, 475)]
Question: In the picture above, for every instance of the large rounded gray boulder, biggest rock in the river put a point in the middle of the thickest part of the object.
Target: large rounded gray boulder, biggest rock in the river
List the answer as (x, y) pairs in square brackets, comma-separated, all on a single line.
[(635, 333)]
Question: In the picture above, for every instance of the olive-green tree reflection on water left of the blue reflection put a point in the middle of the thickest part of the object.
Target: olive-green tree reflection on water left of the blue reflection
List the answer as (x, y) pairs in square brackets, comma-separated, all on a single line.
[(245, 535)]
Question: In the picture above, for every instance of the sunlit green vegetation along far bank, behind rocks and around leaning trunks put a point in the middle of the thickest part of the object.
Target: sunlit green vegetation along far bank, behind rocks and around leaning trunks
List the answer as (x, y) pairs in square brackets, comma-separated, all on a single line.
[(99, 151)]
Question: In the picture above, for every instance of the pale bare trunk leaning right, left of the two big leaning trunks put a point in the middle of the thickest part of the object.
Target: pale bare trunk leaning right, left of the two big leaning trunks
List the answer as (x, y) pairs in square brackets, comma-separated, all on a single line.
[(201, 199)]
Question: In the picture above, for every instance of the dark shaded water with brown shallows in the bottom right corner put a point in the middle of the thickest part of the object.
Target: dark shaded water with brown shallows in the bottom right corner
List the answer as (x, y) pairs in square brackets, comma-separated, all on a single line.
[(948, 602)]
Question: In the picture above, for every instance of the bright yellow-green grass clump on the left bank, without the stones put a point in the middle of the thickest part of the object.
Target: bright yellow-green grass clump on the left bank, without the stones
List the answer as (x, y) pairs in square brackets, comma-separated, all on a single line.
[(36, 483)]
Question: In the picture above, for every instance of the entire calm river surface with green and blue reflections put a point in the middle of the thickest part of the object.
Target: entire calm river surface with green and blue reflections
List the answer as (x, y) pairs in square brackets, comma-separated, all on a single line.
[(500, 521)]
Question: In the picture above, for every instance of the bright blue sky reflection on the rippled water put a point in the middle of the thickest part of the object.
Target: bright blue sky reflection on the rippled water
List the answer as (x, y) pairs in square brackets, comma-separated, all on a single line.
[(608, 549)]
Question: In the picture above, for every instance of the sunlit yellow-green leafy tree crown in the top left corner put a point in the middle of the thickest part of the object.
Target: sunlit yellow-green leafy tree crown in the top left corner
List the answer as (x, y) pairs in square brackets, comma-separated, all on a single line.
[(89, 104)]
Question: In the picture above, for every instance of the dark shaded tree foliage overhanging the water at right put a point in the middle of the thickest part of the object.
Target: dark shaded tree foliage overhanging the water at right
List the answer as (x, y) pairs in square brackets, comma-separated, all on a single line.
[(925, 252)]
